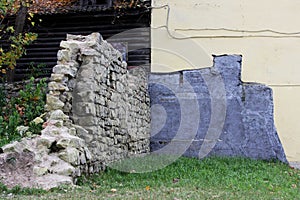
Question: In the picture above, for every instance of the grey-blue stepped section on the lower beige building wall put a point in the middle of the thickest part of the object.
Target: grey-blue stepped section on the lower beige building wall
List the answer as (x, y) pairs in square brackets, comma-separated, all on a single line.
[(210, 111)]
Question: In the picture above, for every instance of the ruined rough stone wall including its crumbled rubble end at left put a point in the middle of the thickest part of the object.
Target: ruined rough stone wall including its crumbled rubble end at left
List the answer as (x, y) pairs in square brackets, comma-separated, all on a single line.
[(97, 112)]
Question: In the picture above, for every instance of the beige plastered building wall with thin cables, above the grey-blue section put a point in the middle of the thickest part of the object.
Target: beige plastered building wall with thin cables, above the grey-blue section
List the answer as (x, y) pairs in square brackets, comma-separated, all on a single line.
[(185, 35)]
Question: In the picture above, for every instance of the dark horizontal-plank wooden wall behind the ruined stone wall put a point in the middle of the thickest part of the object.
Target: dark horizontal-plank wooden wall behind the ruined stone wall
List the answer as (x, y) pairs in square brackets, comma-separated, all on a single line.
[(54, 28)]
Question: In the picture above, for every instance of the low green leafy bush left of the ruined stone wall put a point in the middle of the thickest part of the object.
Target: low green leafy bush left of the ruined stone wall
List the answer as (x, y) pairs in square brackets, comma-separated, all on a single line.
[(21, 111)]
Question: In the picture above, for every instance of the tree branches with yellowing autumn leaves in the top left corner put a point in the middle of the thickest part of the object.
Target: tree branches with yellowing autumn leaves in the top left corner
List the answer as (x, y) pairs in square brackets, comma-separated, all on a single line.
[(15, 36)]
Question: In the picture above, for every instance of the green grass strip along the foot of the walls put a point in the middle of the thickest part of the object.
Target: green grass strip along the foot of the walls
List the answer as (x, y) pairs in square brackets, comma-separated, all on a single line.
[(210, 178)]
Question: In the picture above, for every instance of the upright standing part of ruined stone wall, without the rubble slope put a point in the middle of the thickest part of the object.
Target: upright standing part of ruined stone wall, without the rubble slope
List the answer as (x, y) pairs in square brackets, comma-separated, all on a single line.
[(96, 90)]
